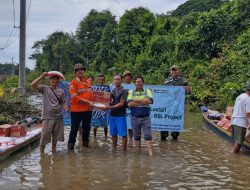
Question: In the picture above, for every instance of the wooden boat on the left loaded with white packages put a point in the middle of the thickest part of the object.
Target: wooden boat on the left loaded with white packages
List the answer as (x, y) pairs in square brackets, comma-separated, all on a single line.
[(11, 145)]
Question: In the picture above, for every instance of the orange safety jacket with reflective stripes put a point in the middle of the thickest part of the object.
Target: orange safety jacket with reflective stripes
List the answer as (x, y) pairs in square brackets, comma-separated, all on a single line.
[(80, 89)]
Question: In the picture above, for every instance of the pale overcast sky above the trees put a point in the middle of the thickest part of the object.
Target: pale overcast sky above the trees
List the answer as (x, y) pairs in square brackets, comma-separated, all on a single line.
[(47, 16)]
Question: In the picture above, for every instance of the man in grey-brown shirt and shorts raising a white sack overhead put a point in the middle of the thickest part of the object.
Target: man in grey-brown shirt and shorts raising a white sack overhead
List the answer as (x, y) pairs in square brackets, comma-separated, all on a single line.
[(53, 101)]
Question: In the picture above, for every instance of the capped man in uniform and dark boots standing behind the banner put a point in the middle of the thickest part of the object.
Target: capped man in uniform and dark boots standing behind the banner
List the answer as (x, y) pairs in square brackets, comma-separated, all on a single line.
[(175, 79)]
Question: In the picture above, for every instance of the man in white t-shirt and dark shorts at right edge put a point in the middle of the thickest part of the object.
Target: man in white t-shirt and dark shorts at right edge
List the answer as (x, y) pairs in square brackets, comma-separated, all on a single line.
[(240, 119)]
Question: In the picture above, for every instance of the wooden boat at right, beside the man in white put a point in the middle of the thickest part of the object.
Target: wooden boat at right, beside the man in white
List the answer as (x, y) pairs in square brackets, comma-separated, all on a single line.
[(212, 124)]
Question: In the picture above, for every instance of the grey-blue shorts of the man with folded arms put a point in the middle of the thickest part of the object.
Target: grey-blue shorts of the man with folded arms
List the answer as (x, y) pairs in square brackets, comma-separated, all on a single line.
[(141, 124)]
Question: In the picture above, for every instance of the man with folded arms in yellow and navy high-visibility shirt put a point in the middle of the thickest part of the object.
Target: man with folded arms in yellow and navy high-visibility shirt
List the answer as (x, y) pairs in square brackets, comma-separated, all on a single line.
[(139, 101)]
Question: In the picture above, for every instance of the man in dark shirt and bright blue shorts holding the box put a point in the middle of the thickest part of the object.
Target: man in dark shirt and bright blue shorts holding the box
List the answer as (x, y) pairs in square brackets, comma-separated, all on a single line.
[(117, 119)]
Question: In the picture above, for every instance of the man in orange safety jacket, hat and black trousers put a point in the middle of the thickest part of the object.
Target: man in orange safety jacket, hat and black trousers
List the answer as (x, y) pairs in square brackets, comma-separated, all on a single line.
[(81, 96)]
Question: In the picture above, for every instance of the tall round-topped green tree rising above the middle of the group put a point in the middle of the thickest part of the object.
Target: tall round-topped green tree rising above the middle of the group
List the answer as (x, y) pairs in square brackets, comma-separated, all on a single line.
[(135, 28)]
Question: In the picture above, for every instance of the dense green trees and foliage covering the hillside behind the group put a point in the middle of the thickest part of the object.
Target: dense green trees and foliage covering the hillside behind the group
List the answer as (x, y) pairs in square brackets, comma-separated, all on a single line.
[(209, 40)]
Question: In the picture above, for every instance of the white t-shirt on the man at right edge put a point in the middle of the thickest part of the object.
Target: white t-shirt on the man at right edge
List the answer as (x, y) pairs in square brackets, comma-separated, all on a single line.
[(241, 108)]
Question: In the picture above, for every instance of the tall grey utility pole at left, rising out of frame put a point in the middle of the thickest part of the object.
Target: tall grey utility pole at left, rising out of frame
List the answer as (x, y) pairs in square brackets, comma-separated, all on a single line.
[(22, 46)]
